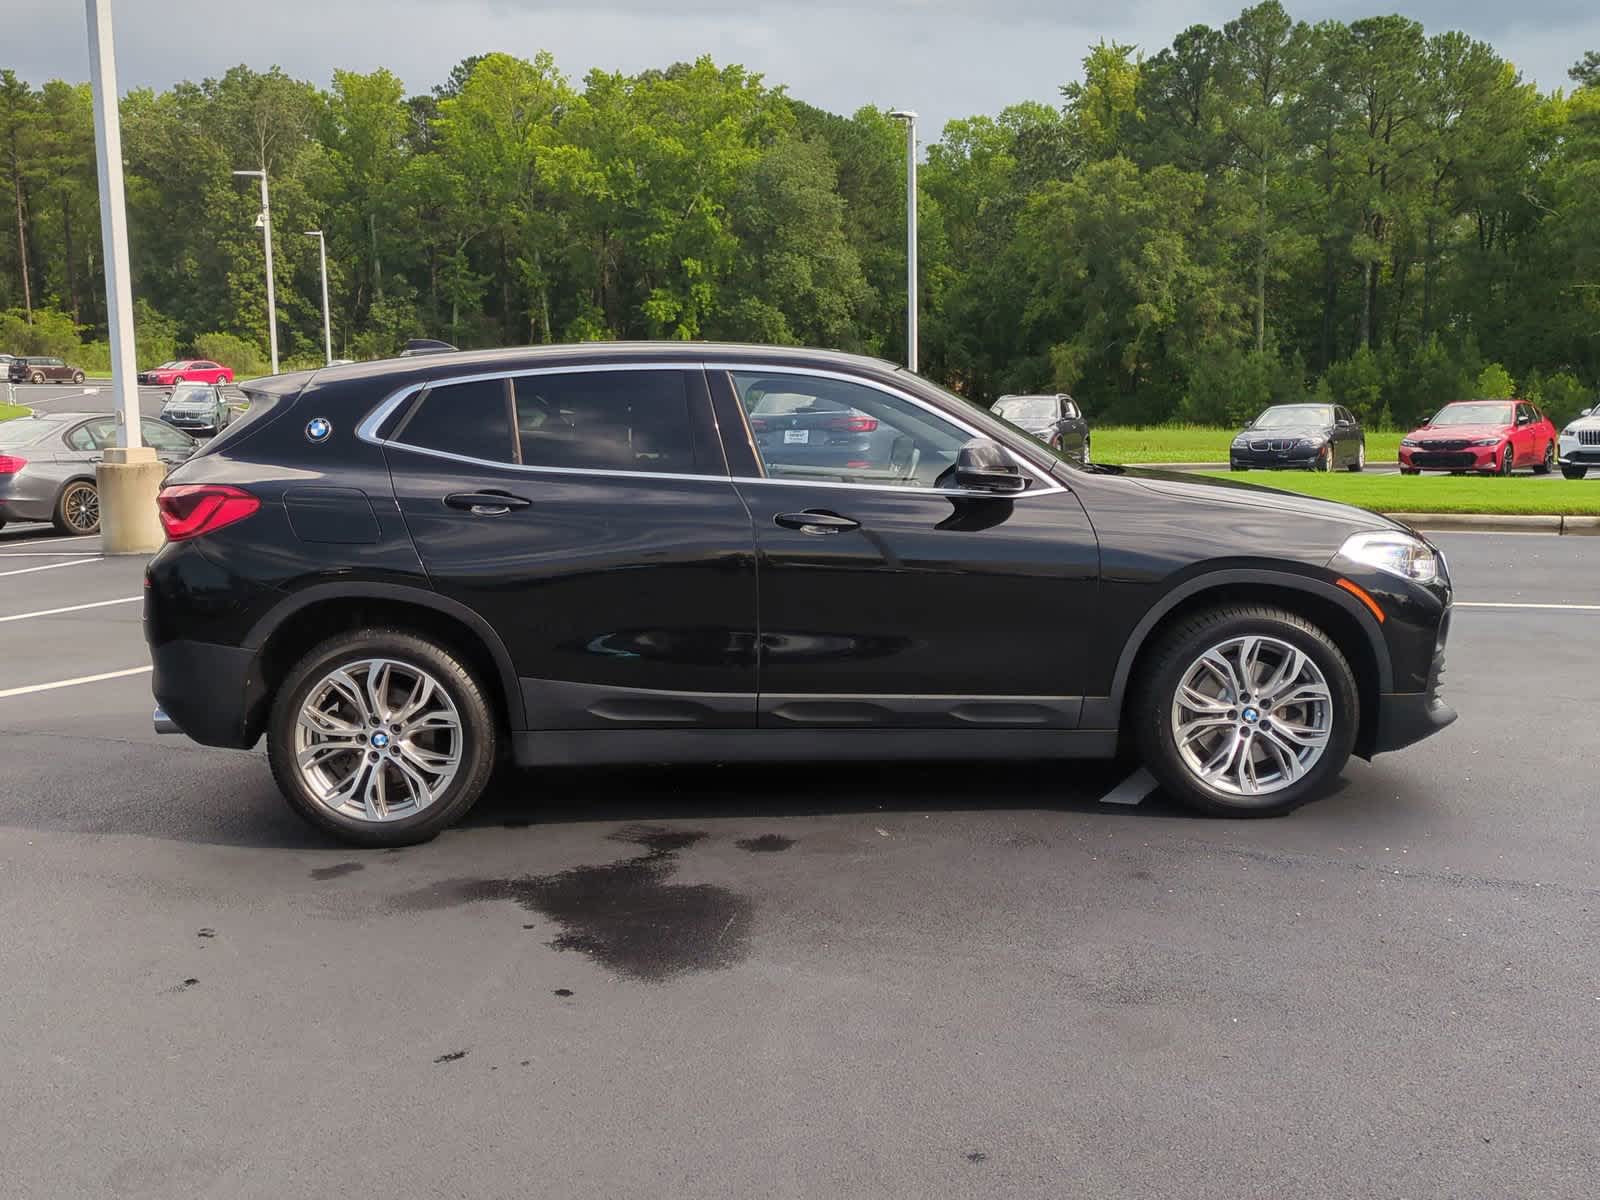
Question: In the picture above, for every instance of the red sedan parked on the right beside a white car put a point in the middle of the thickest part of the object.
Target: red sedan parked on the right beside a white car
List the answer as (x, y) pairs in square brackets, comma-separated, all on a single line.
[(1489, 436)]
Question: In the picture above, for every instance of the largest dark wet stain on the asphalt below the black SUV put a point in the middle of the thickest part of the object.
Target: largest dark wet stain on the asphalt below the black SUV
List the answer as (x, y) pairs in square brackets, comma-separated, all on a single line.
[(626, 916)]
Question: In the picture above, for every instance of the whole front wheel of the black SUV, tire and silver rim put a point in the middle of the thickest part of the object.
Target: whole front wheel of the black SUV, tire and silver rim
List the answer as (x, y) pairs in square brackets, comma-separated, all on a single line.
[(1247, 711)]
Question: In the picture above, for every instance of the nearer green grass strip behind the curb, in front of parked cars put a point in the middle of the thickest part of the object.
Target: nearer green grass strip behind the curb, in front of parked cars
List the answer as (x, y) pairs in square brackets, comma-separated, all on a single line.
[(1438, 494)]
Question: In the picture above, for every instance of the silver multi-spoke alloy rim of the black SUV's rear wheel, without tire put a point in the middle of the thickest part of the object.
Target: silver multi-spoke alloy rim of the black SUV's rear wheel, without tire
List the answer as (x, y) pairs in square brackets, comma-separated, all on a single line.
[(378, 740)]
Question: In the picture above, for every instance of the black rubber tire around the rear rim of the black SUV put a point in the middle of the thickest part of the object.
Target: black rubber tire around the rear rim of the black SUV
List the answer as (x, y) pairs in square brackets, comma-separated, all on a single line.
[(481, 735)]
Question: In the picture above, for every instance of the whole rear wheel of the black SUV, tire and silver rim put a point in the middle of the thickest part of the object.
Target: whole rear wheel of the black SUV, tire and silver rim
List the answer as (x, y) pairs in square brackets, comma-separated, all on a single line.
[(382, 738)]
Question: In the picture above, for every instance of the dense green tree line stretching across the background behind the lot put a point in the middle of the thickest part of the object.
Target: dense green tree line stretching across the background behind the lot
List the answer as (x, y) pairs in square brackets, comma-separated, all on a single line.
[(1266, 212)]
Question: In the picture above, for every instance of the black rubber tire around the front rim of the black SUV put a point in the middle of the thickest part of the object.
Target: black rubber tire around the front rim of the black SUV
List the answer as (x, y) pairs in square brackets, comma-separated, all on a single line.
[(1172, 658)]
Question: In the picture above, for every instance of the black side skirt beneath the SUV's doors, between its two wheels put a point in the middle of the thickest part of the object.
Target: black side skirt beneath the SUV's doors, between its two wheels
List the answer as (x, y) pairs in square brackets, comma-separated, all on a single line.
[(572, 748)]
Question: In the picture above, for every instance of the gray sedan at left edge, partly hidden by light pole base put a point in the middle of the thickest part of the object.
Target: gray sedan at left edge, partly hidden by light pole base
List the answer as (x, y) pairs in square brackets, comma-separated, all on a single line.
[(47, 465)]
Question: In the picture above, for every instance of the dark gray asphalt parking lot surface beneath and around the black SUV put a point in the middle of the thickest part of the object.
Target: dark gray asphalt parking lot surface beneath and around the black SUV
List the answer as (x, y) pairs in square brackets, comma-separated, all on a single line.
[(903, 982)]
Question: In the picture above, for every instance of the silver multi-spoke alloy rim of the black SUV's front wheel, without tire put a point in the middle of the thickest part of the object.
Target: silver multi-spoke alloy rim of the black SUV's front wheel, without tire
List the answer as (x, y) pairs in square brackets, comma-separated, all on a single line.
[(1252, 716)]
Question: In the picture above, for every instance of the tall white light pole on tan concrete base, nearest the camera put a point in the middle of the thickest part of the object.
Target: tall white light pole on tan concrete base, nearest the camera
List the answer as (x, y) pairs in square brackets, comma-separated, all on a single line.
[(127, 482)]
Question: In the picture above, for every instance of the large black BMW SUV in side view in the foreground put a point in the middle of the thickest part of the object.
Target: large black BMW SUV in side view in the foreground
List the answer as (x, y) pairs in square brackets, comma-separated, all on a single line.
[(402, 572)]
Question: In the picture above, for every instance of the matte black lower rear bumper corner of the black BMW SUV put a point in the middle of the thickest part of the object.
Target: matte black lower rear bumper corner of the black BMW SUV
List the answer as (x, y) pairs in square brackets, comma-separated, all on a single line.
[(210, 694)]
